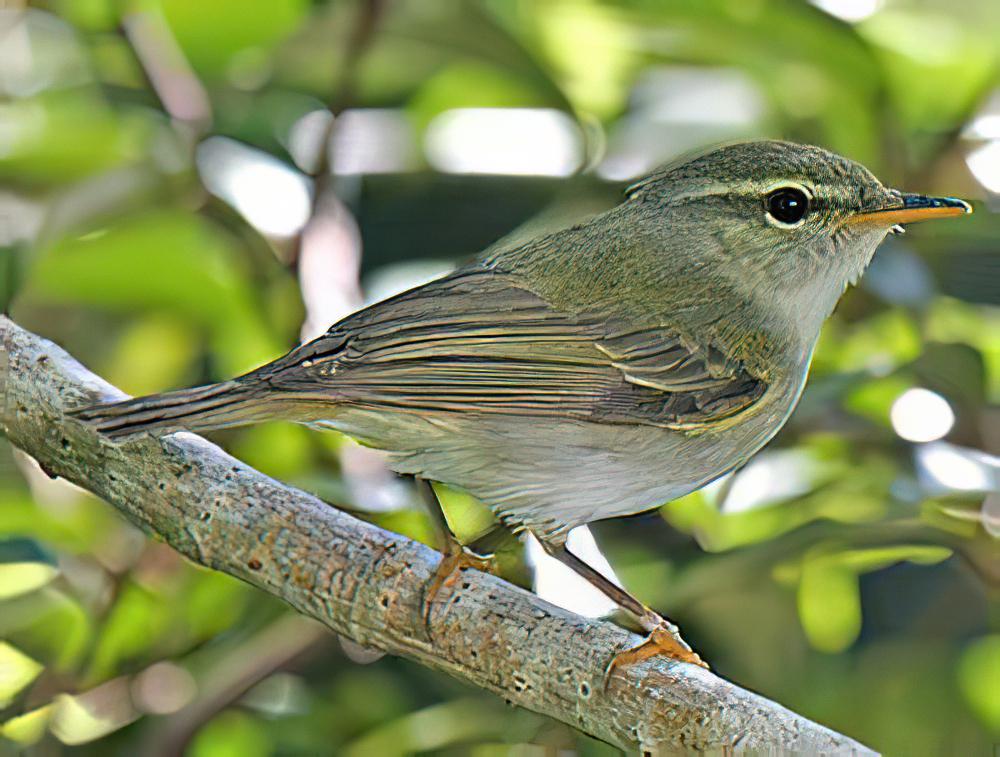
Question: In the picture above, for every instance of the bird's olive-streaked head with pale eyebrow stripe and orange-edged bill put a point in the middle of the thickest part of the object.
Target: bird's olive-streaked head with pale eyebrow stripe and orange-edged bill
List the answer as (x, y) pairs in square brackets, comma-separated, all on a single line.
[(794, 221)]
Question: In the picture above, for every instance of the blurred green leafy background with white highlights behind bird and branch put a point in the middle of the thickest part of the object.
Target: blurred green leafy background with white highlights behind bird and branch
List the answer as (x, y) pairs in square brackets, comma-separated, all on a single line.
[(189, 188)]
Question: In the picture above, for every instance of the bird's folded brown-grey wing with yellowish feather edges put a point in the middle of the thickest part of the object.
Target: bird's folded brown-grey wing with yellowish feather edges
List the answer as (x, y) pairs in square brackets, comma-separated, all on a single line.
[(476, 342)]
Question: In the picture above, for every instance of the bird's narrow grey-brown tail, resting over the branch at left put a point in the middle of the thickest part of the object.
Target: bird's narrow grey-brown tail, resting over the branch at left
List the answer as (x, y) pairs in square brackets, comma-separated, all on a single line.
[(229, 403)]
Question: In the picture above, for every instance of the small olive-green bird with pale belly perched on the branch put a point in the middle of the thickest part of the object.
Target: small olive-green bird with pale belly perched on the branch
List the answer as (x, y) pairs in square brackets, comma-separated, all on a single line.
[(595, 372)]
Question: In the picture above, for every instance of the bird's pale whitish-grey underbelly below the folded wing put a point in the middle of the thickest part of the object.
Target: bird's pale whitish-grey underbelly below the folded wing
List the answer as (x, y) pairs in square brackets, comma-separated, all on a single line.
[(551, 476)]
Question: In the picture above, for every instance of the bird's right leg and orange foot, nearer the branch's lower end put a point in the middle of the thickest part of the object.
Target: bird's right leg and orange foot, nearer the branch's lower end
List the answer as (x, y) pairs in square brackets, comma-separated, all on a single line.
[(664, 637)]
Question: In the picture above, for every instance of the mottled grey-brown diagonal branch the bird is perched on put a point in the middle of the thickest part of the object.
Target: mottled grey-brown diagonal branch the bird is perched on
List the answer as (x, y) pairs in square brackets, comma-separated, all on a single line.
[(367, 584)]
